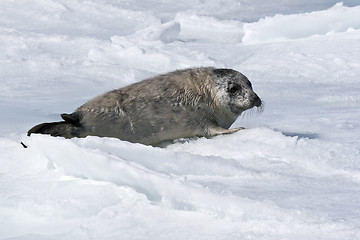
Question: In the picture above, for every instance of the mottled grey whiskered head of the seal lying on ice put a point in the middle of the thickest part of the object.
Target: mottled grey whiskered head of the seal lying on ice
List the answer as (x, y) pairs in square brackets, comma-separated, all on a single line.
[(234, 91)]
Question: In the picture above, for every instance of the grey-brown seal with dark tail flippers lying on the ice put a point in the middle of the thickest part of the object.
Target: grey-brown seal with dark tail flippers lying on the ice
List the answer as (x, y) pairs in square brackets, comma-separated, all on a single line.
[(201, 102)]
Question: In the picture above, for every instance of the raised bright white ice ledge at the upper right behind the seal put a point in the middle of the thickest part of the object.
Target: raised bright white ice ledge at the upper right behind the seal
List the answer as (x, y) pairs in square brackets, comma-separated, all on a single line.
[(336, 19)]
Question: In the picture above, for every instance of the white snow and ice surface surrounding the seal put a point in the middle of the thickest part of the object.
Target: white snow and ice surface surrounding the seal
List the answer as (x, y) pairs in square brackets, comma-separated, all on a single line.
[(294, 173)]
